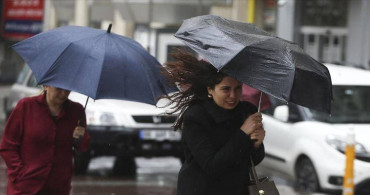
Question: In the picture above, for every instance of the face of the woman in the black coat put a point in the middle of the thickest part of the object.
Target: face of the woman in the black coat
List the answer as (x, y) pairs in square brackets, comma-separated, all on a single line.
[(227, 93)]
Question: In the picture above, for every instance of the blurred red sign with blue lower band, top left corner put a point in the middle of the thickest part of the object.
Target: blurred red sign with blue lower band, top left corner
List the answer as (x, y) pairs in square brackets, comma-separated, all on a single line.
[(22, 18)]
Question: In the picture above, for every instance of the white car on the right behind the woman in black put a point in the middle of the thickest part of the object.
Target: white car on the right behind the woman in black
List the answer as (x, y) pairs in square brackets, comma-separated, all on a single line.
[(309, 146)]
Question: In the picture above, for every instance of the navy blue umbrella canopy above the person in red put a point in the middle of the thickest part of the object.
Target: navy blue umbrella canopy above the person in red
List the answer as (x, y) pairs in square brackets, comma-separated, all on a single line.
[(95, 63)]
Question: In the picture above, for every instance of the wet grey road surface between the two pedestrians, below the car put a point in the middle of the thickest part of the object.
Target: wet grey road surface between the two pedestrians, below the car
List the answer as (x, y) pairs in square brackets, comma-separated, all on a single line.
[(154, 176)]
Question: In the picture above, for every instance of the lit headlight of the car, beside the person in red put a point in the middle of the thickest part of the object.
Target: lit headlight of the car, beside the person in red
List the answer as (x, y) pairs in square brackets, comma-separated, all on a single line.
[(101, 118)]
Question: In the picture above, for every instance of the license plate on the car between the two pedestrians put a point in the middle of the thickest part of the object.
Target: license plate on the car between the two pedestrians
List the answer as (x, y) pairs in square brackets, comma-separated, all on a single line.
[(159, 135)]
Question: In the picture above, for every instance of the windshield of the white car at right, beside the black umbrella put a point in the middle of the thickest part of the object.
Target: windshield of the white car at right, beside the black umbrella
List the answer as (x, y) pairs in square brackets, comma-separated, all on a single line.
[(350, 105)]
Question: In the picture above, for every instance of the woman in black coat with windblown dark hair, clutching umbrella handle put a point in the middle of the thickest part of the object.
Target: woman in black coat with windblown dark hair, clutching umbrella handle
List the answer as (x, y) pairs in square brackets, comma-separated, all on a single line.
[(219, 133)]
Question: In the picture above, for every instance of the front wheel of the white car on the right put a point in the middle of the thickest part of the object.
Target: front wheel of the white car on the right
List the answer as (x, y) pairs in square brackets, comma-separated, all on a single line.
[(306, 177)]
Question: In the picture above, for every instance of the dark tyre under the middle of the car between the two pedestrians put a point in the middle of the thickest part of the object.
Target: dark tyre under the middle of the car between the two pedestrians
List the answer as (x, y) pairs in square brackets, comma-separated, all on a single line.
[(124, 166)]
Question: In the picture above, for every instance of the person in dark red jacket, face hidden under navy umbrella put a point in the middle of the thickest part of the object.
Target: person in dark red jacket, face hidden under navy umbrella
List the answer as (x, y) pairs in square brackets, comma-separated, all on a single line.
[(38, 140)]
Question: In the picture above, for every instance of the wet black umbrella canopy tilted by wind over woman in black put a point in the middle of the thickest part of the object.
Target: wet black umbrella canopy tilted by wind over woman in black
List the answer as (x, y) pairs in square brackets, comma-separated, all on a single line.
[(268, 63)]
